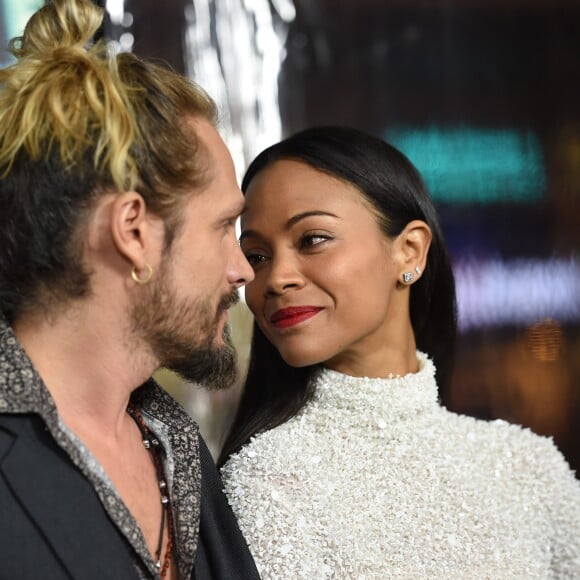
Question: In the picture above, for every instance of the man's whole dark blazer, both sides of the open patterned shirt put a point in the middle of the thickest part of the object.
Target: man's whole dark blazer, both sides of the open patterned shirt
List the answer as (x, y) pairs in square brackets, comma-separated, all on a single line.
[(53, 526)]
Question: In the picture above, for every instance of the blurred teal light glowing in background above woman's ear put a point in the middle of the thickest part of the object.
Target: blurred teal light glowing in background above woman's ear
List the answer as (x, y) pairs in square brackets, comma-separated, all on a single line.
[(472, 165)]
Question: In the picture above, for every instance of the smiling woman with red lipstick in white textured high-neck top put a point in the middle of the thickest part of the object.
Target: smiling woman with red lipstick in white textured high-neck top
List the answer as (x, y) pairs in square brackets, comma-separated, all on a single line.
[(341, 463)]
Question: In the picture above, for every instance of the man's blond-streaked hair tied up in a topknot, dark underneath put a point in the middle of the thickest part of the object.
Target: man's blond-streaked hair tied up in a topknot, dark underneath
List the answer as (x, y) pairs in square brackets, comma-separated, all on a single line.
[(75, 122)]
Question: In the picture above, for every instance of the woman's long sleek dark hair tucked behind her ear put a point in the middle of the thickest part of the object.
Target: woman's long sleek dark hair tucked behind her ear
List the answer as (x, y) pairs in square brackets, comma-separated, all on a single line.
[(274, 391)]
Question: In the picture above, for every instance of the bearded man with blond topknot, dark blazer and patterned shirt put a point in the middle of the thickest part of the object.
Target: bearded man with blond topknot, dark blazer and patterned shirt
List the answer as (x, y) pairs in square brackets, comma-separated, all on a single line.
[(118, 255)]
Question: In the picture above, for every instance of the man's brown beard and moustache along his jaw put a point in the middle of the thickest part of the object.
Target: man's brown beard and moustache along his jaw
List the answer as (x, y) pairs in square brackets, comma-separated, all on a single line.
[(182, 334)]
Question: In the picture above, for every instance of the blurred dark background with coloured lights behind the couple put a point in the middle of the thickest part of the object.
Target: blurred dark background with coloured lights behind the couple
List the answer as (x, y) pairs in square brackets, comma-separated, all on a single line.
[(482, 95)]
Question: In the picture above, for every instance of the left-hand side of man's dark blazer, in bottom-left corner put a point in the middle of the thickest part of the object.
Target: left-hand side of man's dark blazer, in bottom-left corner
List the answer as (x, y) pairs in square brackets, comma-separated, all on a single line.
[(52, 523)]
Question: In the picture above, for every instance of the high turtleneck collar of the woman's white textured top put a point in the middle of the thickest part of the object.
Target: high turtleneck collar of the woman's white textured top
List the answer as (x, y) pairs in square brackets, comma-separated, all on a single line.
[(378, 397)]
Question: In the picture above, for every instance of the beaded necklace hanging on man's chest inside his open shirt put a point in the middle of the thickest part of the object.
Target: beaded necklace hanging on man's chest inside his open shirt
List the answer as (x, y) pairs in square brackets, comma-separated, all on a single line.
[(152, 444)]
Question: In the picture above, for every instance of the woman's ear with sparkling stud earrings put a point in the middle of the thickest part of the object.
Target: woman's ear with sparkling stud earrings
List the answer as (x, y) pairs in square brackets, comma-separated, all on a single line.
[(411, 248)]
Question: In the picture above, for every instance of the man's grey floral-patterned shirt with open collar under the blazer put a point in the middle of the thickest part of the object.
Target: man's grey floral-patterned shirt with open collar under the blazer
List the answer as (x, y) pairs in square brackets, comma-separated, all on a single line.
[(23, 391)]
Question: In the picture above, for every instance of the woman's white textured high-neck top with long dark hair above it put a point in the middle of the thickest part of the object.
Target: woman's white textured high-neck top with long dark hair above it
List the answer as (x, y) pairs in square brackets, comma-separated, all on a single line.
[(373, 479)]
